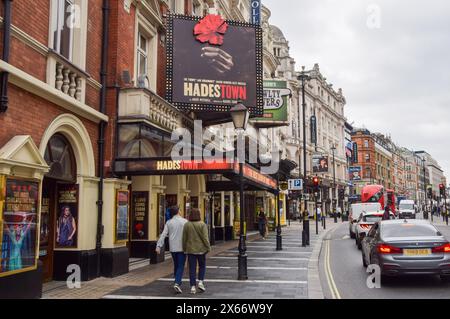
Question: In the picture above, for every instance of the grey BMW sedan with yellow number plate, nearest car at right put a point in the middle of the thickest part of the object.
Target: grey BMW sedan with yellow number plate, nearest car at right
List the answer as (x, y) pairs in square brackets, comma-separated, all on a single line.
[(407, 247)]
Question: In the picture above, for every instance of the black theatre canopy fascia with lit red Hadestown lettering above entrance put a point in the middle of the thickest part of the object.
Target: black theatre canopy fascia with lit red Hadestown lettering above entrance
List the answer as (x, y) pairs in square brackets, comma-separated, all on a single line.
[(166, 166)]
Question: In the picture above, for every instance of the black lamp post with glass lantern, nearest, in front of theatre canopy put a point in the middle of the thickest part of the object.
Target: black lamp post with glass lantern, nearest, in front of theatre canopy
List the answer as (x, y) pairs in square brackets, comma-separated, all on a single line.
[(240, 116)]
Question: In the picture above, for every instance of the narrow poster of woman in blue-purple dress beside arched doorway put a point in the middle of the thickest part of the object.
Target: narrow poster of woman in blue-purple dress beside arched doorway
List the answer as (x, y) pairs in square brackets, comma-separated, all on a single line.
[(67, 216)]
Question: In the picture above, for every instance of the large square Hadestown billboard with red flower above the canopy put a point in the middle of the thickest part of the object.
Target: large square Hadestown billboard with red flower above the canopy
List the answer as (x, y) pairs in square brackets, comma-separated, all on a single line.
[(213, 64)]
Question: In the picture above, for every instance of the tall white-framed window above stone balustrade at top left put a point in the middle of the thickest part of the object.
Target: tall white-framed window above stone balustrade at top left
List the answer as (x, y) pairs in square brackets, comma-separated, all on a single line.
[(62, 30)]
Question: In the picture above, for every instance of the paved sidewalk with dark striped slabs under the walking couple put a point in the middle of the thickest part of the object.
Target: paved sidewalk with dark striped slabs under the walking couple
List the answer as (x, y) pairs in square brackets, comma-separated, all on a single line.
[(292, 273)]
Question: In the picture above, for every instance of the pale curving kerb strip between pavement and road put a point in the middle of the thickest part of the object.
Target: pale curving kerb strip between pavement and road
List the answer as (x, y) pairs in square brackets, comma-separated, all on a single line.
[(314, 284)]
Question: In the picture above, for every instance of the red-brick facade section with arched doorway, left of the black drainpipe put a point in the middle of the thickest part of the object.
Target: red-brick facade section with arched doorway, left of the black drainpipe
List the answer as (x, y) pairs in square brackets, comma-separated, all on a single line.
[(49, 131)]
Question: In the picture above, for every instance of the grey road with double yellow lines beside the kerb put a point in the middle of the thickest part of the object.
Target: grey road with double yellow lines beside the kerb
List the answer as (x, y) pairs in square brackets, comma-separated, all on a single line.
[(344, 277)]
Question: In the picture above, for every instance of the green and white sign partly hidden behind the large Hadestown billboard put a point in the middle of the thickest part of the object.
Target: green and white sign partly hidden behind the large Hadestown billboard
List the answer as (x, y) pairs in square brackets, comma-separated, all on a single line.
[(276, 101)]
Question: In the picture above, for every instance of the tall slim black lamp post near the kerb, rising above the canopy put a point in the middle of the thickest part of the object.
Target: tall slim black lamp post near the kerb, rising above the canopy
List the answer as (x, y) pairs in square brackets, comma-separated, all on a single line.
[(303, 77)]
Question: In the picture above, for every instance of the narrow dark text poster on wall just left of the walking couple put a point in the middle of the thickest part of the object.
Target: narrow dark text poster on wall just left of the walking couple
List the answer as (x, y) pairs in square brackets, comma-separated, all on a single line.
[(140, 202)]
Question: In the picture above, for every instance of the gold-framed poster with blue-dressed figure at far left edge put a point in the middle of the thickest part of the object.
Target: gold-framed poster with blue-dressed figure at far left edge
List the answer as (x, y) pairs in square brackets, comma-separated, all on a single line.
[(18, 225)]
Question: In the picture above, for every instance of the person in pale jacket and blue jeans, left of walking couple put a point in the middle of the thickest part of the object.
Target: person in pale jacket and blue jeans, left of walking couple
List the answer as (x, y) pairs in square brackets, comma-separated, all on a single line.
[(174, 230)]
